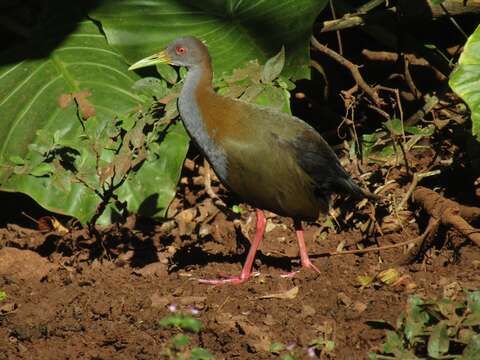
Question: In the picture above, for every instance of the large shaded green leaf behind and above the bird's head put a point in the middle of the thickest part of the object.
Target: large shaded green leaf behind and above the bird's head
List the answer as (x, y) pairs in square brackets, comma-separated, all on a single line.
[(235, 30)]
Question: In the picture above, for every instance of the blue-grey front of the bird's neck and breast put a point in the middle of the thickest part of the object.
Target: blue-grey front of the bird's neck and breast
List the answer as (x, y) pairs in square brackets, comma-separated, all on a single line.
[(192, 119)]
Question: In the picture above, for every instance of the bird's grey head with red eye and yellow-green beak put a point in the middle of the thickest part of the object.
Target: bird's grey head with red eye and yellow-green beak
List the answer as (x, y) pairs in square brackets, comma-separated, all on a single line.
[(185, 51)]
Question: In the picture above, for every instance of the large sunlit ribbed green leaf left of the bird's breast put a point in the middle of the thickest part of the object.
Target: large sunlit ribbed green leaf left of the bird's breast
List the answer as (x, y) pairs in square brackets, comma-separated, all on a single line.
[(61, 143)]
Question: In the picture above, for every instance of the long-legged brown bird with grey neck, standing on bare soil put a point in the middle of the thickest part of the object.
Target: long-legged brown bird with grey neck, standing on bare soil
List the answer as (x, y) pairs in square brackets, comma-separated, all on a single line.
[(270, 159)]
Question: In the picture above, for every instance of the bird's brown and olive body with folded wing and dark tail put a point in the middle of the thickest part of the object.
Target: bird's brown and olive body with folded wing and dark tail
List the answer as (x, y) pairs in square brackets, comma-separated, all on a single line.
[(274, 161)]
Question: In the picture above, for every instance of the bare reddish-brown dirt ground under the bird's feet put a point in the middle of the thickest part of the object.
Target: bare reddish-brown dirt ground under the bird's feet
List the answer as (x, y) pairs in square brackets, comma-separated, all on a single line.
[(74, 296)]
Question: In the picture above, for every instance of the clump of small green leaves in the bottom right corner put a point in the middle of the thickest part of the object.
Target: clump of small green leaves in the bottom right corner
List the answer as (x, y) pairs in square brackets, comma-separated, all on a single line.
[(434, 329)]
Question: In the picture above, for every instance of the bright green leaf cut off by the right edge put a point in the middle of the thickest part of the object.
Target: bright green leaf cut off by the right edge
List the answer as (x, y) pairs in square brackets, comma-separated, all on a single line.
[(465, 80)]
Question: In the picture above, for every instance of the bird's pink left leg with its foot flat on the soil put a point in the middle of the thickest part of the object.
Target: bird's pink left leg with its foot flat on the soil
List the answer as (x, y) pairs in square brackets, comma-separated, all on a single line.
[(247, 267)]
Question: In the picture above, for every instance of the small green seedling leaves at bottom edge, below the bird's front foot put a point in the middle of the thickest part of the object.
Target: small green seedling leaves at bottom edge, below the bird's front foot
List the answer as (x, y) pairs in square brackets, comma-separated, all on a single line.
[(179, 346)]
